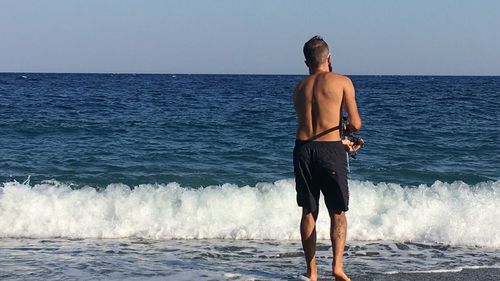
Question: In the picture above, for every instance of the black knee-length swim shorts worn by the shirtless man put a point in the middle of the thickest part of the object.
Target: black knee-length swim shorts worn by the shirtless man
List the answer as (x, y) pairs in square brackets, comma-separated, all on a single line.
[(321, 166)]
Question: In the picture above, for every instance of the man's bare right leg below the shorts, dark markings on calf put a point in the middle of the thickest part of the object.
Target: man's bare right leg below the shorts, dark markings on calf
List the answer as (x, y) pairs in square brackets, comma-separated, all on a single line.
[(338, 230)]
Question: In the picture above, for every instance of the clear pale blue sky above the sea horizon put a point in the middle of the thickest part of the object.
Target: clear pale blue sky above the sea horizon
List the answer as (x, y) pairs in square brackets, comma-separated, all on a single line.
[(258, 36)]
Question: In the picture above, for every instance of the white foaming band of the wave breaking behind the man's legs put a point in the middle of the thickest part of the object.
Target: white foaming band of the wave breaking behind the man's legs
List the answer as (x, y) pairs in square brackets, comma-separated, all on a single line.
[(452, 213)]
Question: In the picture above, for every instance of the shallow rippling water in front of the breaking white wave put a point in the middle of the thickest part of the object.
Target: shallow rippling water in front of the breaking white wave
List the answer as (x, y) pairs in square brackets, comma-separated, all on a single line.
[(214, 259)]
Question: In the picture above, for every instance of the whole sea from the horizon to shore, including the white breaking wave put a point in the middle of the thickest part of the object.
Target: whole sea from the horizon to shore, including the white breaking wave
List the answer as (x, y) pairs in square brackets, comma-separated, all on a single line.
[(189, 177)]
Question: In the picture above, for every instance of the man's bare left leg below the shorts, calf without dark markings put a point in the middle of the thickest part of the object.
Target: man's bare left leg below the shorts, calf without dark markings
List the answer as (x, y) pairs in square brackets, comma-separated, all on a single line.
[(308, 234)]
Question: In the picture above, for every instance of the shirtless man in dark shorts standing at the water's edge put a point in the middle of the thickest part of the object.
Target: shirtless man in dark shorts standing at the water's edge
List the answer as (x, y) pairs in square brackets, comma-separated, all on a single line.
[(319, 157)]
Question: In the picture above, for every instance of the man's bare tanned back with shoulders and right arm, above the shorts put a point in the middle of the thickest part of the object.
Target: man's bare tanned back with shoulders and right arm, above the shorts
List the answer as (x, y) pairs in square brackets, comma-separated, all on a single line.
[(318, 101)]
